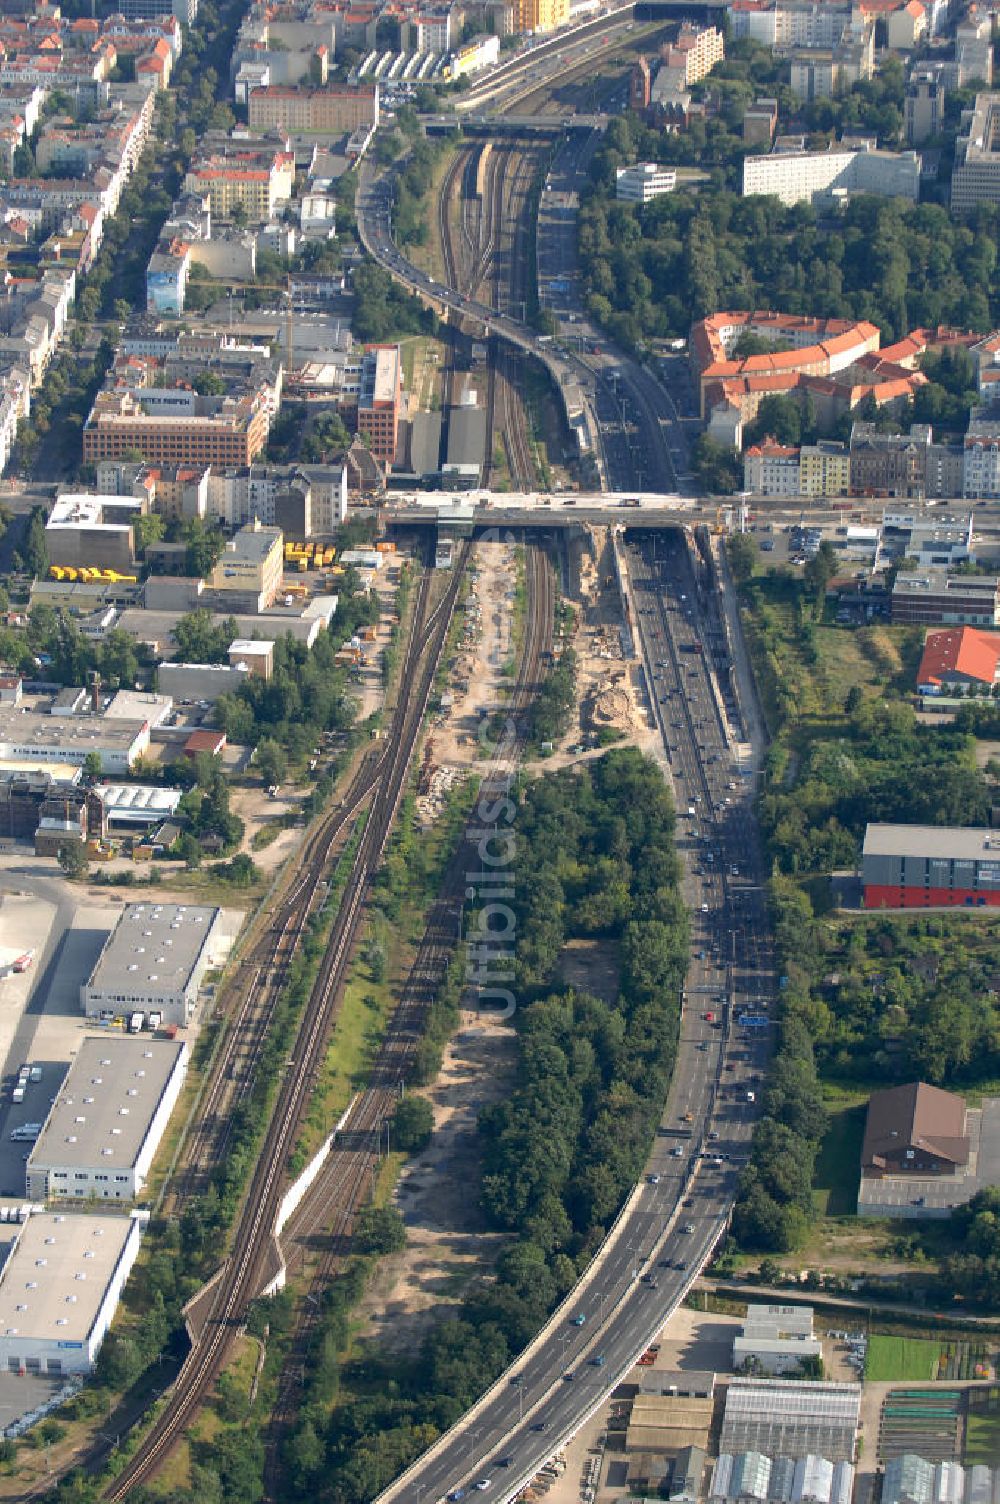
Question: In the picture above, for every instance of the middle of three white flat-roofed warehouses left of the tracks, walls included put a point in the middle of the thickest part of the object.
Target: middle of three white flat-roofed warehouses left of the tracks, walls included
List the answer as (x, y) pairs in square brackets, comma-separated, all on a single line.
[(106, 1124)]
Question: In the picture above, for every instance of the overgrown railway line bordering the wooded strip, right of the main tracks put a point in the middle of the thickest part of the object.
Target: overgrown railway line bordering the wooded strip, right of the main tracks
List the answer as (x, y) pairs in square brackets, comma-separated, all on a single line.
[(332, 1205)]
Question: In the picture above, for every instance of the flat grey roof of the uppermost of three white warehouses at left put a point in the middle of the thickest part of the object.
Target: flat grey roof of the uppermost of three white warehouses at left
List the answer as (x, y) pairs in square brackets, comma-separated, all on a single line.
[(154, 948)]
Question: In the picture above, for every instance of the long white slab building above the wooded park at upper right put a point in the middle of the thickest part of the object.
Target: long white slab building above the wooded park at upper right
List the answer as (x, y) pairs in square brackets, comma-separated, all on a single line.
[(807, 177)]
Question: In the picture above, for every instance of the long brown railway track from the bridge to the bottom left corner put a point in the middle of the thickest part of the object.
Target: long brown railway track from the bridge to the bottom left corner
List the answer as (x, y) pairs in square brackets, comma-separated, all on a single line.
[(240, 1282)]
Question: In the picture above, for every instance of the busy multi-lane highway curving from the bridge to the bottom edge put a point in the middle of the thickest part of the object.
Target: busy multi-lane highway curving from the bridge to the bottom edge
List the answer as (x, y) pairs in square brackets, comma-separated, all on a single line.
[(677, 1214)]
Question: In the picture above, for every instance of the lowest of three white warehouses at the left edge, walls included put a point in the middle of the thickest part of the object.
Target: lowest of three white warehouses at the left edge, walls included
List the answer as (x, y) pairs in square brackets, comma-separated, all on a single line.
[(61, 1287)]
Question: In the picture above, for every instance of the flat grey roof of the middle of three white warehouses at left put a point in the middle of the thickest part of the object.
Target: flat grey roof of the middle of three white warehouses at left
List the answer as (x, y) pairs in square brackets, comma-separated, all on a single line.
[(108, 1103)]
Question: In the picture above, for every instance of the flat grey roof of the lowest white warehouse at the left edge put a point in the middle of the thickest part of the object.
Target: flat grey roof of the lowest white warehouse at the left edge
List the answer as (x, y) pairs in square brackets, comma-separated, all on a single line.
[(53, 1285)]
